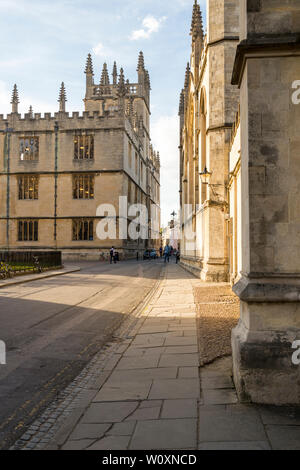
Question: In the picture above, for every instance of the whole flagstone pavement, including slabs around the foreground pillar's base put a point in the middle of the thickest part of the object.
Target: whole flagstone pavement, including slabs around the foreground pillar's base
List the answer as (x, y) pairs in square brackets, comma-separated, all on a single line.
[(152, 394)]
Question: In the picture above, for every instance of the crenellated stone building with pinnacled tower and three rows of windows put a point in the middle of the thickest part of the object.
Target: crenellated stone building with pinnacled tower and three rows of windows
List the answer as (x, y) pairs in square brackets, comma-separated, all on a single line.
[(55, 171)]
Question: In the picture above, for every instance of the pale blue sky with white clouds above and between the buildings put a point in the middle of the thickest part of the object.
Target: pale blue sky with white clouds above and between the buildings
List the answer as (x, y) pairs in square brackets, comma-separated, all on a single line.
[(46, 42)]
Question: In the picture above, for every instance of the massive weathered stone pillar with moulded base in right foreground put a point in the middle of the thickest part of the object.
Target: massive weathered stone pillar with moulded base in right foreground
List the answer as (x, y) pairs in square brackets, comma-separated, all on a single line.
[(267, 68)]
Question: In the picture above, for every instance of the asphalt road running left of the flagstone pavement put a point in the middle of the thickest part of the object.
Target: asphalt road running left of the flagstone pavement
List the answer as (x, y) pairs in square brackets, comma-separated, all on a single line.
[(53, 327)]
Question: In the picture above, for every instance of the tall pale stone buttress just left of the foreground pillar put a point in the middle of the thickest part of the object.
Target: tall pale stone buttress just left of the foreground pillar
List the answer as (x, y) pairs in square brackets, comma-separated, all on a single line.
[(223, 98)]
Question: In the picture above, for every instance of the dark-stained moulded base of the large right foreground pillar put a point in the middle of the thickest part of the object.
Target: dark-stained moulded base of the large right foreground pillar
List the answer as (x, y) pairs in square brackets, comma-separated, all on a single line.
[(262, 345)]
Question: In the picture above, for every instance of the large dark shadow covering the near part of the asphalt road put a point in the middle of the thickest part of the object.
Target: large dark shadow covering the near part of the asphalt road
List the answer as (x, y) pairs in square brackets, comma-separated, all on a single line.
[(47, 345)]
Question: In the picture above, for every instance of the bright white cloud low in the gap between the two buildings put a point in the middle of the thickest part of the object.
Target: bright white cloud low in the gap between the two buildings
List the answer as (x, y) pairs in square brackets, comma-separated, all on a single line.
[(165, 138)]
